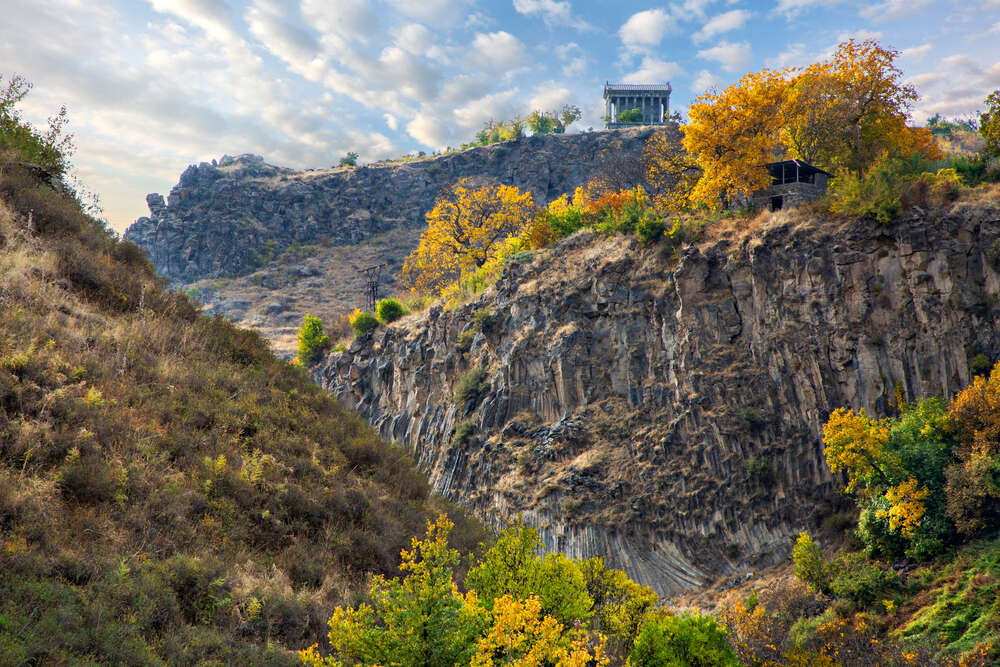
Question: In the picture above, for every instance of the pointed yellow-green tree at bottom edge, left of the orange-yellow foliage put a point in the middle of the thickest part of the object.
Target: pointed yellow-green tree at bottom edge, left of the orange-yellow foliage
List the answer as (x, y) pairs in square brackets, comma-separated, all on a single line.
[(418, 620)]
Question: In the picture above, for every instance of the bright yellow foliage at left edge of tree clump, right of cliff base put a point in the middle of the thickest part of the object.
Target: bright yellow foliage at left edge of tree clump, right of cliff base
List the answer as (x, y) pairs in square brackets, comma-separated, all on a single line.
[(855, 443)]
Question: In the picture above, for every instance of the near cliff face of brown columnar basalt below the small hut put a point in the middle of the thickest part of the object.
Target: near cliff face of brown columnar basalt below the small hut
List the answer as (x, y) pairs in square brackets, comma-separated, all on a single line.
[(665, 411)]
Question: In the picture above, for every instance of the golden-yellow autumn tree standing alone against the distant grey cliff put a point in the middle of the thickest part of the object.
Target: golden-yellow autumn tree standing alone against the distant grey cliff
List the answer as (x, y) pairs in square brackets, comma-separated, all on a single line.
[(464, 231)]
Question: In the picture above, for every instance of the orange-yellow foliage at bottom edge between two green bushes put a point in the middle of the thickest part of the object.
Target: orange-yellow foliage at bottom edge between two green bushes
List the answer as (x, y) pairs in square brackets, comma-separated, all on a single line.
[(521, 635)]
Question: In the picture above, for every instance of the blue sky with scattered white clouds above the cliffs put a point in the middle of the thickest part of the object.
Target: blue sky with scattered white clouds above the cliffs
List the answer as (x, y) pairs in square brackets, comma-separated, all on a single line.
[(155, 85)]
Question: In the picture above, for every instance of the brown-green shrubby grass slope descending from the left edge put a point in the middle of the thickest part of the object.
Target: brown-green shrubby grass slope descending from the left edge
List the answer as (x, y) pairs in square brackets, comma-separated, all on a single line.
[(169, 490)]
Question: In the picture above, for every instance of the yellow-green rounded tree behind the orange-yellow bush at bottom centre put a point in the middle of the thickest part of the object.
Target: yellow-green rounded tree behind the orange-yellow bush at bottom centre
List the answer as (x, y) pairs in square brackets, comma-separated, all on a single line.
[(513, 566)]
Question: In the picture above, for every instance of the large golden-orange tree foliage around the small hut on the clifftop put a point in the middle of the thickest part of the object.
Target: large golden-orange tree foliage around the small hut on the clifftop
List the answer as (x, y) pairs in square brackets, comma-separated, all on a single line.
[(843, 114)]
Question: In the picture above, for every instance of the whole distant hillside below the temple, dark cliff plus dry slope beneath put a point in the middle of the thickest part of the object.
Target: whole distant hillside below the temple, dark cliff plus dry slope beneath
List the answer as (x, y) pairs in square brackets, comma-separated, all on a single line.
[(263, 245)]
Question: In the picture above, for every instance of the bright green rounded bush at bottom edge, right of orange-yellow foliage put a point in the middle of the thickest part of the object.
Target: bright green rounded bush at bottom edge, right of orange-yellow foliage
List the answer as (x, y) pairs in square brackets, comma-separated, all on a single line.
[(692, 640)]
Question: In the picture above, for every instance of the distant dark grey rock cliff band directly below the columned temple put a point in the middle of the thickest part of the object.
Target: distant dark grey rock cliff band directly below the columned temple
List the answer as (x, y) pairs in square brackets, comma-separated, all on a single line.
[(230, 217)]
